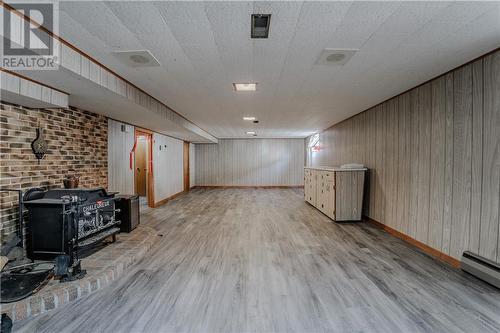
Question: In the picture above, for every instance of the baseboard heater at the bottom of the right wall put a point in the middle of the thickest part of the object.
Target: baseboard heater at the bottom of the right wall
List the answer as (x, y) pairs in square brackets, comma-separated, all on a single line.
[(481, 268)]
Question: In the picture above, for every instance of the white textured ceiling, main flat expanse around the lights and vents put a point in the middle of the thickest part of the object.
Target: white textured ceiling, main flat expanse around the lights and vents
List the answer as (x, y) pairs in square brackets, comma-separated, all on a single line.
[(203, 47)]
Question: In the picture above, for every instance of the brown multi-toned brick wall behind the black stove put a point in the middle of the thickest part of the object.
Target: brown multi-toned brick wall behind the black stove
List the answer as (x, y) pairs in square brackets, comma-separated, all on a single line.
[(76, 140)]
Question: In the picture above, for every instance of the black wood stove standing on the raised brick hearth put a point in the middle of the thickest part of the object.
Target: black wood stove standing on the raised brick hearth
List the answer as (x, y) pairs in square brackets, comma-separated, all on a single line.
[(65, 221)]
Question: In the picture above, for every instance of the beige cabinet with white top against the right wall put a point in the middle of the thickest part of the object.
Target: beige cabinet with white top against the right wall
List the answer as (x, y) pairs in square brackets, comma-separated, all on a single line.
[(336, 192)]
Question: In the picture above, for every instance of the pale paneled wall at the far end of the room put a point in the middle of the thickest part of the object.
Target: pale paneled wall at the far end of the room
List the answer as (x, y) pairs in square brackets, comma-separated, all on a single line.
[(250, 162)]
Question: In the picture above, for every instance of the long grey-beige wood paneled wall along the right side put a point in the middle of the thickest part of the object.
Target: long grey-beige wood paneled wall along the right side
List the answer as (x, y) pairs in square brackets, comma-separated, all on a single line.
[(434, 155)]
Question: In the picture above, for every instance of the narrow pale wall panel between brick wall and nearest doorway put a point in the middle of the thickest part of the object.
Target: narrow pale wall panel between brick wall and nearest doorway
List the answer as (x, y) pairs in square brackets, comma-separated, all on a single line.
[(120, 143)]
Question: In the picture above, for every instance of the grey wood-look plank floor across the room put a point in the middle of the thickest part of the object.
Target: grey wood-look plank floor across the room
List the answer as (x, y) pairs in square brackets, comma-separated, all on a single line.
[(262, 260)]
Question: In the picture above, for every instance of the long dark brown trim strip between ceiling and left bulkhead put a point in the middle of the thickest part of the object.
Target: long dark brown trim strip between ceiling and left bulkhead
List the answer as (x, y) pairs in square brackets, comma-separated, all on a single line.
[(74, 48)]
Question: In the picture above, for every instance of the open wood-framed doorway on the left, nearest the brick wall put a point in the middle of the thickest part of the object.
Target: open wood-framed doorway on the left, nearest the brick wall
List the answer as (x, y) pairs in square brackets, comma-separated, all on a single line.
[(143, 166)]
